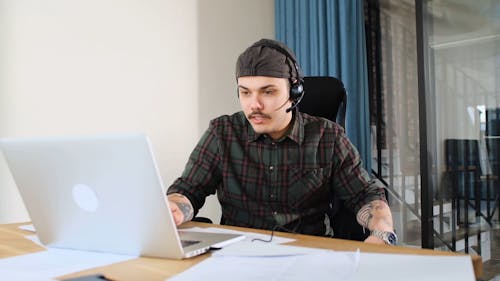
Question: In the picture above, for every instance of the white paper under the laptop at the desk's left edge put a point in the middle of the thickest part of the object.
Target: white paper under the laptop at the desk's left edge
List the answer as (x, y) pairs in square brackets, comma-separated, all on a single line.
[(56, 262)]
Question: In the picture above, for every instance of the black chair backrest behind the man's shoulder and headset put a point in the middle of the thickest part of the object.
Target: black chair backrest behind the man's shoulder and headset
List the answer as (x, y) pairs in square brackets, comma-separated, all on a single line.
[(326, 97)]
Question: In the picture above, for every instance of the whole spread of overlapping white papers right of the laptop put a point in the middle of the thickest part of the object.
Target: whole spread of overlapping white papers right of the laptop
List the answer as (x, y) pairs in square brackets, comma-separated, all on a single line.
[(258, 261)]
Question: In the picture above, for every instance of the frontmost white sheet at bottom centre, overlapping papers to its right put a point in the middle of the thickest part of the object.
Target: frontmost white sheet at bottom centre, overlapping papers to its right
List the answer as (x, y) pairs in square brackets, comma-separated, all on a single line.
[(321, 266)]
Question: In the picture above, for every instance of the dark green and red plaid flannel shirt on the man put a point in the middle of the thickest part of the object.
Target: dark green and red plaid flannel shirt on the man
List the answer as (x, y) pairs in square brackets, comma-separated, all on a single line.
[(265, 183)]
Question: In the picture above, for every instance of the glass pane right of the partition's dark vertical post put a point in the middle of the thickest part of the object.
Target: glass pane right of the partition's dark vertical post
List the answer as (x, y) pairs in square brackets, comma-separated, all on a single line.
[(463, 81)]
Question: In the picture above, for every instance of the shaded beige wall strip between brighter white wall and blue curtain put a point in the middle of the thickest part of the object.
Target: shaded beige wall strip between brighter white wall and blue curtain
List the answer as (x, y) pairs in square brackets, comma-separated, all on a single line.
[(225, 29)]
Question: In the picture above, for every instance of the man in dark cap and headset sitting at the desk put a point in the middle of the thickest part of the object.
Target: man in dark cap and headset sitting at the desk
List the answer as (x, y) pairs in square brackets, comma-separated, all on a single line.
[(274, 167)]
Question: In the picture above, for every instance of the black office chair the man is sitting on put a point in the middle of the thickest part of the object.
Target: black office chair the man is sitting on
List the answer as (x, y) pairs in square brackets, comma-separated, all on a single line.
[(326, 97)]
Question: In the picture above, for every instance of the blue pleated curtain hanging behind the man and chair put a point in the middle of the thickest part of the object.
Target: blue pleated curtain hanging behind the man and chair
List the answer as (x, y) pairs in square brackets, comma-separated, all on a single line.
[(328, 38)]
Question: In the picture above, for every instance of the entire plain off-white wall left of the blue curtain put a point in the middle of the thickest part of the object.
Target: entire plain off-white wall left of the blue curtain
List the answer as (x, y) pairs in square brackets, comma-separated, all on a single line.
[(102, 66)]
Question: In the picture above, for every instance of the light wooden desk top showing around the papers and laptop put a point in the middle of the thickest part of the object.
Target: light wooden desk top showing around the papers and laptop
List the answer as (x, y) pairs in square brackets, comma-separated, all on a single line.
[(13, 243)]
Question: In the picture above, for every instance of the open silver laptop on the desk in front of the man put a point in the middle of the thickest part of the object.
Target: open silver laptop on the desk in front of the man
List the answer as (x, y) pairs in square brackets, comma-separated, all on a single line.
[(100, 193)]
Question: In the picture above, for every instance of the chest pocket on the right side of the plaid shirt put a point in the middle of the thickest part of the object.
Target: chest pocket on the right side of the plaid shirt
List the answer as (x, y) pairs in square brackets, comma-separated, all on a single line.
[(309, 187)]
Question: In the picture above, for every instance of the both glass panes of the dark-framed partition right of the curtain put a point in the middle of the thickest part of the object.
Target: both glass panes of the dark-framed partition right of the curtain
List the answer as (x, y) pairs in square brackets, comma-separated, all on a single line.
[(462, 120)]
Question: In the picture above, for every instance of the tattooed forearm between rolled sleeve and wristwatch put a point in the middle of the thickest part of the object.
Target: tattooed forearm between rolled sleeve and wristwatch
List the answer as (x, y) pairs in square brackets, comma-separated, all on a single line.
[(376, 215)]
